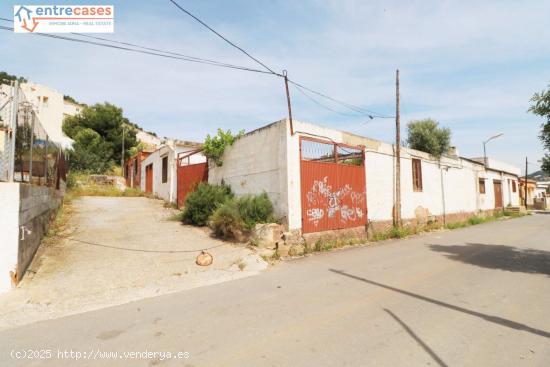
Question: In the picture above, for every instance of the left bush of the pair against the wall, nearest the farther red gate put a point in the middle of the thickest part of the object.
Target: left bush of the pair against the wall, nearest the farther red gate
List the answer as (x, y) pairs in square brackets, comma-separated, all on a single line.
[(201, 203)]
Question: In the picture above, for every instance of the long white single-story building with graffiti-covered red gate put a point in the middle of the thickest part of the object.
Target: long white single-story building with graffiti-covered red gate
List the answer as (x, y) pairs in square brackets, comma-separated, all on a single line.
[(323, 179)]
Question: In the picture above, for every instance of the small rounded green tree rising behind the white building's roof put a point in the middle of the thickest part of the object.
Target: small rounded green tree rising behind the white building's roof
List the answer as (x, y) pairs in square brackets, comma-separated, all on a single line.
[(426, 135)]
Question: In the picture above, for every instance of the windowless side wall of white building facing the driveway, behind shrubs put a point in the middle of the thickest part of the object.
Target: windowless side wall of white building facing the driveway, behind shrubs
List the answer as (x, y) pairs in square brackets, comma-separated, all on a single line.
[(255, 163)]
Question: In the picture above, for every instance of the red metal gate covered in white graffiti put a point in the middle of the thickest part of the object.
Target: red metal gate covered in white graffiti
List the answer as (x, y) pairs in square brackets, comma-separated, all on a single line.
[(333, 186)]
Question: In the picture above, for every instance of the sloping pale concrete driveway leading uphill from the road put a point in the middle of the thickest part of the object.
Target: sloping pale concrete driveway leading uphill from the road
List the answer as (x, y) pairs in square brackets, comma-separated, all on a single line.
[(120, 250)]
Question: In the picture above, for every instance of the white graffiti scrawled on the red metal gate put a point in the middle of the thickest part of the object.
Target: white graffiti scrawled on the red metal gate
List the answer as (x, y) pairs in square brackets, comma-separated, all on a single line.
[(323, 200)]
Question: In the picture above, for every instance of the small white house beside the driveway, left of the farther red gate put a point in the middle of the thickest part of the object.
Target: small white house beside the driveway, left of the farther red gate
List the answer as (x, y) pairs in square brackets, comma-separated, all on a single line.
[(159, 169)]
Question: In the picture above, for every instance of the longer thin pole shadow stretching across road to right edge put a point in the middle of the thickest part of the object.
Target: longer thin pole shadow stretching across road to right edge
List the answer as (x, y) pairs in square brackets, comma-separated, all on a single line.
[(490, 318)]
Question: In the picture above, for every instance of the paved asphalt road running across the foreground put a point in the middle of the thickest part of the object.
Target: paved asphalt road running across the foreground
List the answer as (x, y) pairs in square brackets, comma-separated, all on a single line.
[(478, 296)]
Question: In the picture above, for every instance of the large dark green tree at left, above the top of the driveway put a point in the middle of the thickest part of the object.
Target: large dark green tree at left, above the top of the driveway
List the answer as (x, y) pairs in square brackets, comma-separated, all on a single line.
[(108, 122)]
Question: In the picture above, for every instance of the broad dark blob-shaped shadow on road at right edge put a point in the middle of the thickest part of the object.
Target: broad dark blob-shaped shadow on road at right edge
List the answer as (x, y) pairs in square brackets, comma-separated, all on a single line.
[(498, 257)]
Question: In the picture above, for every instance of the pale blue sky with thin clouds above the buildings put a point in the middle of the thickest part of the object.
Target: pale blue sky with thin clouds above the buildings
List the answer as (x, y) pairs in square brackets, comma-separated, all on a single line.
[(471, 65)]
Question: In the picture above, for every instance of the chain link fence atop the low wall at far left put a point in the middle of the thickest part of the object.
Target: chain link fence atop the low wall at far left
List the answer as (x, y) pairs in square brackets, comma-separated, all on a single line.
[(26, 151)]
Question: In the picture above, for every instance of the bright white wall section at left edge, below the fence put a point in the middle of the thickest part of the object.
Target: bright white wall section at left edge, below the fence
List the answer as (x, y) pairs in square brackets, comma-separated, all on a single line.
[(9, 232)]
